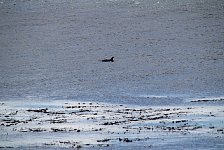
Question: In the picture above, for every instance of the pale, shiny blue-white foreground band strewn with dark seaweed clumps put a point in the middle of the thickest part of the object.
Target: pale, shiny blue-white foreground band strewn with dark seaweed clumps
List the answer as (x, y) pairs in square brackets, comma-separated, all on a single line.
[(87, 125)]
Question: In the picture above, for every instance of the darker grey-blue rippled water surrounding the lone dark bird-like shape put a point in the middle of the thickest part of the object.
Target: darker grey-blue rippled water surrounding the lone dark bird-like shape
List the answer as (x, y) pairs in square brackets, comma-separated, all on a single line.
[(165, 51)]
